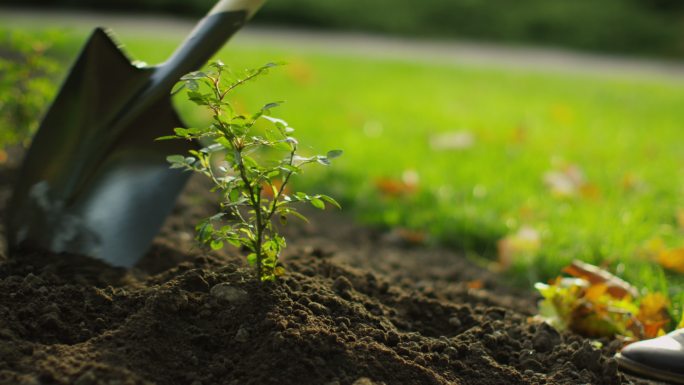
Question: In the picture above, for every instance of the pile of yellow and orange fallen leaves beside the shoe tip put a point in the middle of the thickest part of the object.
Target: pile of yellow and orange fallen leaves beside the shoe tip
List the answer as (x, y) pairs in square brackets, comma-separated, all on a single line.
[(595, 303)]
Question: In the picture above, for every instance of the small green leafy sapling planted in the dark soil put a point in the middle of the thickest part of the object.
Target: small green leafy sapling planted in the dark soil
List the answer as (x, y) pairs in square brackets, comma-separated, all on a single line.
[(250, 158)]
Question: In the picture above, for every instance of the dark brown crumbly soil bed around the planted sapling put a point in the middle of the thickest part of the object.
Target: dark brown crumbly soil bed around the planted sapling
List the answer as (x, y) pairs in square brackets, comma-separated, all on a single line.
[(357, 306)]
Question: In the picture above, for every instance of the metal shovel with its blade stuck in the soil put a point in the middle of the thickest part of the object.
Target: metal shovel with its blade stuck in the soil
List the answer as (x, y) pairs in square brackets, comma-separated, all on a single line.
[(94, 182)]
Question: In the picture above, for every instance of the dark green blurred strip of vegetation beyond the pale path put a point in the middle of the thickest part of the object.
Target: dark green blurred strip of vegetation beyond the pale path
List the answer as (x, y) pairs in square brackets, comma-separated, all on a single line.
[(649, 27)]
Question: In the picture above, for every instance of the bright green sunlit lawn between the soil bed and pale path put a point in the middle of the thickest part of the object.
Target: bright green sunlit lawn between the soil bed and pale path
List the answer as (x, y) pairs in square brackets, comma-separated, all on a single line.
[(624, 134)]
